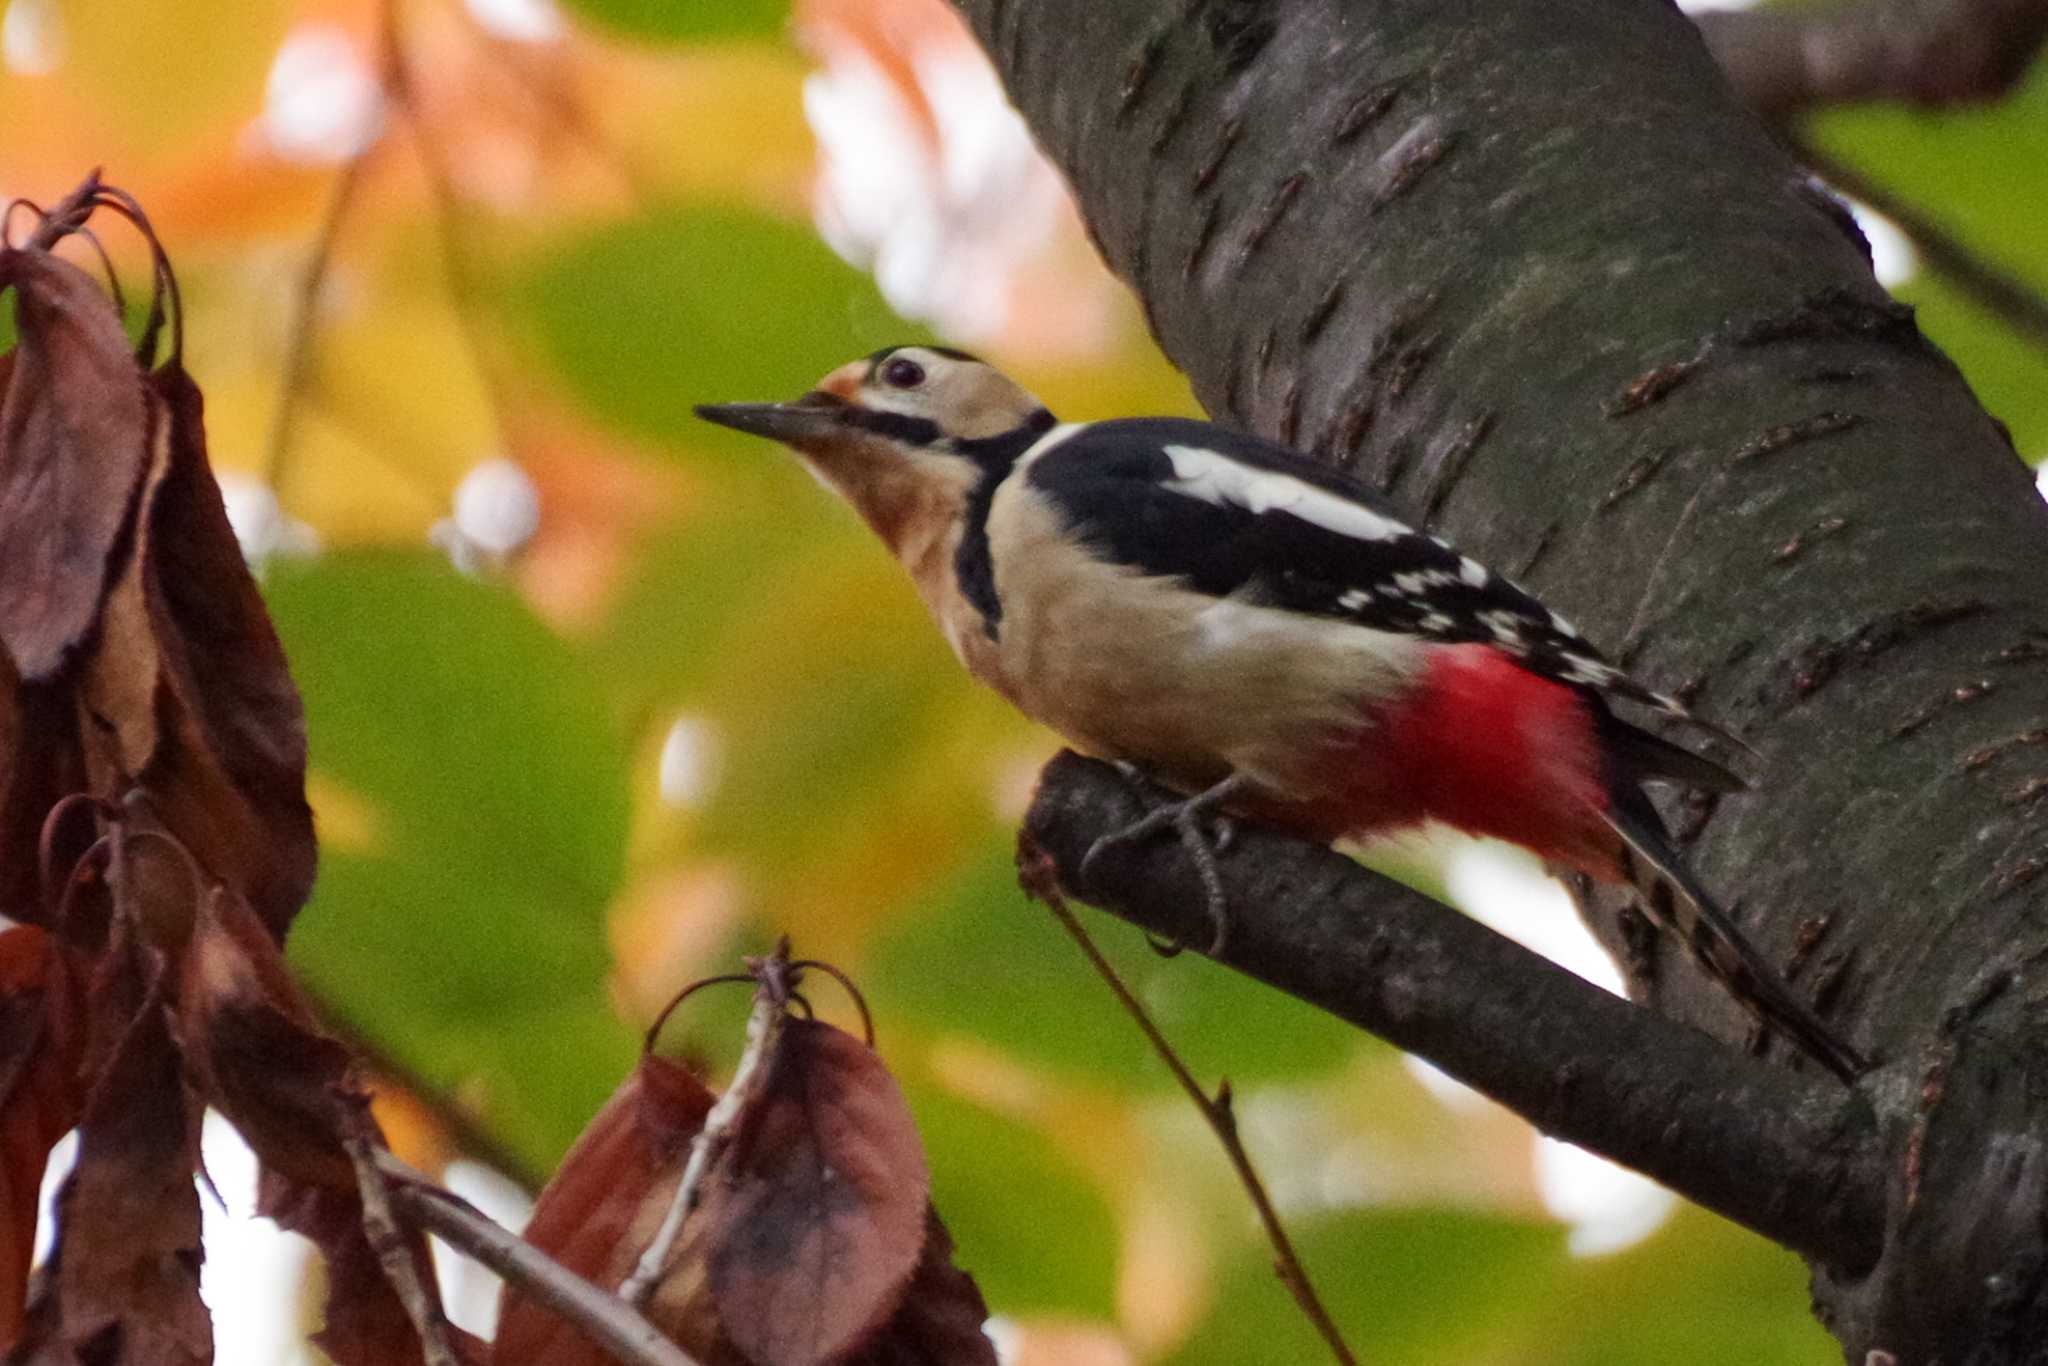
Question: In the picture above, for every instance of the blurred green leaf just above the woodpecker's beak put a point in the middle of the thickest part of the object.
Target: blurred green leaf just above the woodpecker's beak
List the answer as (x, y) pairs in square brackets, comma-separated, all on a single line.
[(693, 306)]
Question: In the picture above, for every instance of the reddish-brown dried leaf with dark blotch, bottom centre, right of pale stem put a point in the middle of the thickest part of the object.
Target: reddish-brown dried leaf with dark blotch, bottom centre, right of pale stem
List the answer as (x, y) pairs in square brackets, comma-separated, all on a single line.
[(814, 1218)]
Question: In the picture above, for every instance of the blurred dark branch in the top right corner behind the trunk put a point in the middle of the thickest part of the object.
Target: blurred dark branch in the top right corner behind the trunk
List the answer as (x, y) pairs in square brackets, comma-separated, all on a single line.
[(1914, 52)]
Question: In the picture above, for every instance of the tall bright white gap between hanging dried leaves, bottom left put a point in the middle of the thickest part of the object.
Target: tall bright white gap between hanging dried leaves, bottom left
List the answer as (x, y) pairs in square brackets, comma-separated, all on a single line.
[(255, 1273)]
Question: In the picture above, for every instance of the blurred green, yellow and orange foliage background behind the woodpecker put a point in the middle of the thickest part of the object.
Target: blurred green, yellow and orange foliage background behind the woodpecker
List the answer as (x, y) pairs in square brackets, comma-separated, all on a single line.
[(603, 697)]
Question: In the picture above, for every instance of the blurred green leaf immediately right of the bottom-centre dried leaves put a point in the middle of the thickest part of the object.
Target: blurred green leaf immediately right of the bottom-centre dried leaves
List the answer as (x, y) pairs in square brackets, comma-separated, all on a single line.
[(1025, 1222)]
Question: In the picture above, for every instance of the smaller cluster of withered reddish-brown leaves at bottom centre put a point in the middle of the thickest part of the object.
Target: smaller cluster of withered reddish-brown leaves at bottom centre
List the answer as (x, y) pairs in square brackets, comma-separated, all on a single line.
[(812, 1244)]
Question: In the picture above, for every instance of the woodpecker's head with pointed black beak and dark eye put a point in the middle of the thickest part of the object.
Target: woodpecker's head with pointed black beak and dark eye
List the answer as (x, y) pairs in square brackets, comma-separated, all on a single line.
[(904, 435)]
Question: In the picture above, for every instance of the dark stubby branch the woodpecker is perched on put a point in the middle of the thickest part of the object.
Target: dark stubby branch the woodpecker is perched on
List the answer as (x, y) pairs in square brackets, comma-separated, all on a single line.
[(1791, 1156)]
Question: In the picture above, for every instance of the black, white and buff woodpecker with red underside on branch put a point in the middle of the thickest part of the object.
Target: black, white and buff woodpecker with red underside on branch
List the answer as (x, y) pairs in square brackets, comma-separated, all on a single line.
[(1261, 634)]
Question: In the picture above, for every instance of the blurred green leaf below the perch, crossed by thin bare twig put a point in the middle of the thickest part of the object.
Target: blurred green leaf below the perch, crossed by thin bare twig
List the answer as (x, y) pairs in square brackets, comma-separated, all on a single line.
[(986, 962)]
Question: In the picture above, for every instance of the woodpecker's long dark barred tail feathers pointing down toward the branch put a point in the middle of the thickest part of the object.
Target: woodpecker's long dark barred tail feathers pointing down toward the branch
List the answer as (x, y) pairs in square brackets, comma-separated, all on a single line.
[(1680, 906)]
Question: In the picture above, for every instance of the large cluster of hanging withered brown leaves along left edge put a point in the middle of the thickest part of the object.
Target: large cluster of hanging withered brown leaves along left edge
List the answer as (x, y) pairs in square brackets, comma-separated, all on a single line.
[(155, 847)]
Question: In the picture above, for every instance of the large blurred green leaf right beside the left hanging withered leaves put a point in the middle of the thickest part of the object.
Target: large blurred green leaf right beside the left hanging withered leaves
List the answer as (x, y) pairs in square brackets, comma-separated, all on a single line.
[(466, 925)]
